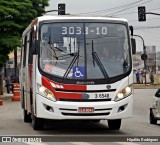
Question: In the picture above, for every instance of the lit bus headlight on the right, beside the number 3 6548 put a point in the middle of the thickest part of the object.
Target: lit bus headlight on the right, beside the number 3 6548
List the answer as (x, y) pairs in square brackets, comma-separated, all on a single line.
[(124, 93)]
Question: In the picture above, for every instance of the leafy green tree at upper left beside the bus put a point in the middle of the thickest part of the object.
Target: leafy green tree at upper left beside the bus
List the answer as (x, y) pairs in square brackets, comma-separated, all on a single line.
[(15, 16)]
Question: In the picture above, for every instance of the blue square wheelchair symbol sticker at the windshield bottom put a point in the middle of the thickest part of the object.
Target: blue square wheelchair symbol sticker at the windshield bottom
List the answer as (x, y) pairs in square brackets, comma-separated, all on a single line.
[(78, 72)]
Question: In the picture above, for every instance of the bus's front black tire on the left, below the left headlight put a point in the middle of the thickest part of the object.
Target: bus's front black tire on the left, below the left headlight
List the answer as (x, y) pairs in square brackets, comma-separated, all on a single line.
[(37, 123)]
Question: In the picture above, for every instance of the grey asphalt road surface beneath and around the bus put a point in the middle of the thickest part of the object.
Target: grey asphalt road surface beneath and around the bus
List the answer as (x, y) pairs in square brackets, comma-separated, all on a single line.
[(78, 133)]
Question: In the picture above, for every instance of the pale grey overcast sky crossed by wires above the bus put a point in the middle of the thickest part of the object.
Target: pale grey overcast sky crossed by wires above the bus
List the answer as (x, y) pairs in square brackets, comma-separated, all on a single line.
[(120, 8)]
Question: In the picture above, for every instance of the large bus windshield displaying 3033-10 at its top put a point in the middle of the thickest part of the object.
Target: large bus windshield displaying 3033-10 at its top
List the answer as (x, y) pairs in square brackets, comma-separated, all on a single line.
[(84, 50)]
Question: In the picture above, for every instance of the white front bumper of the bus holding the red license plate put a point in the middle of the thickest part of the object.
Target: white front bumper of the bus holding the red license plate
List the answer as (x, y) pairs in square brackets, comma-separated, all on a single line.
[(63, 110)]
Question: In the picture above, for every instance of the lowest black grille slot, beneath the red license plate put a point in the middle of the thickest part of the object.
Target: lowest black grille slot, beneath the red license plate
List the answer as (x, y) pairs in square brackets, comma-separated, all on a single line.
[(85, 114)]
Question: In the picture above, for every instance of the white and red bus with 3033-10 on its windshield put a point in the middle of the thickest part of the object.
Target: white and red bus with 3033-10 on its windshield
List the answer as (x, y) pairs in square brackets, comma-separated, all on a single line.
[(76, 68)]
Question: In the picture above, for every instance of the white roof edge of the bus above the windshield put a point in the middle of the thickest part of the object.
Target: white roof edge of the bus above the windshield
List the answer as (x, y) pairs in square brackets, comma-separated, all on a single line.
[(72, 17)]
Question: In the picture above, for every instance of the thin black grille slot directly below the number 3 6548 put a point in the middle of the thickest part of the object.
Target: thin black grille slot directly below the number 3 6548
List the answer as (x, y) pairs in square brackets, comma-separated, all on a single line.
[(80, 100)]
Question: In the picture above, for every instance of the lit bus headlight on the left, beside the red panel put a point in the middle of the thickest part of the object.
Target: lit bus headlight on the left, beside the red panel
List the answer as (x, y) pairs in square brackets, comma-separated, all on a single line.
[(45, 92)]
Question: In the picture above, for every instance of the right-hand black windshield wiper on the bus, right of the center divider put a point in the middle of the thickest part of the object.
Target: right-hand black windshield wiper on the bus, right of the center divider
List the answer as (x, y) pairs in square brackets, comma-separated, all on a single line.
[(99, 63)]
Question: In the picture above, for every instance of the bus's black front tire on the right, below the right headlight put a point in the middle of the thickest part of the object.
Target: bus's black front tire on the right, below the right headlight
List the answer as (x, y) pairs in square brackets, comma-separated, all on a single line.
[(114, 124)]
